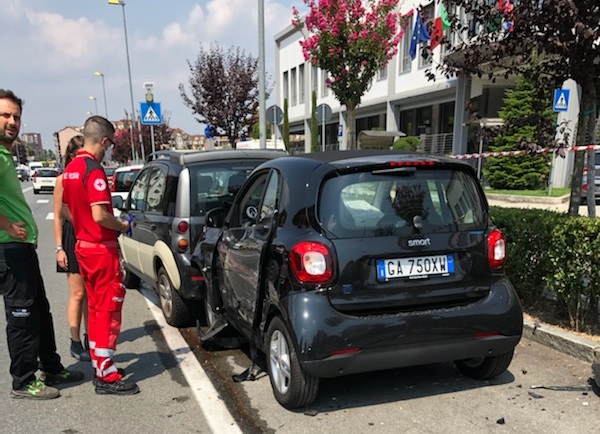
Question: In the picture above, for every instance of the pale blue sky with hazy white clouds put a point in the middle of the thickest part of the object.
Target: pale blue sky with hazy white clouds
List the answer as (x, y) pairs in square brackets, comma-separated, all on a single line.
[(51, 49)]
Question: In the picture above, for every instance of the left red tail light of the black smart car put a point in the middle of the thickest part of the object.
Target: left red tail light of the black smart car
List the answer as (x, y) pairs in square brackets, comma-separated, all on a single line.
[(311, 262)]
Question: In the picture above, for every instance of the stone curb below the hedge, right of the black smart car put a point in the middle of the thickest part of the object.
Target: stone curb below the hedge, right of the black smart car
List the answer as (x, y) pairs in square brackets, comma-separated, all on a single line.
[(566, 342)]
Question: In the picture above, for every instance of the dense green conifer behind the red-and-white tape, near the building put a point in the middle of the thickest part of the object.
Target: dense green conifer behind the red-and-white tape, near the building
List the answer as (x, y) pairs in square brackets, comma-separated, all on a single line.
[(528, 123)]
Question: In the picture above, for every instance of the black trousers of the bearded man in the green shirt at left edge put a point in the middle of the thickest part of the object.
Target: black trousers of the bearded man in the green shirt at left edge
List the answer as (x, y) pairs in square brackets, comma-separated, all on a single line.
[(29, 326)]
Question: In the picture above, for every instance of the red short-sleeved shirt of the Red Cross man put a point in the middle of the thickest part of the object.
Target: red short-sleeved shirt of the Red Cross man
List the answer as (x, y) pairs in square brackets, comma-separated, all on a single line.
[(85, 184)]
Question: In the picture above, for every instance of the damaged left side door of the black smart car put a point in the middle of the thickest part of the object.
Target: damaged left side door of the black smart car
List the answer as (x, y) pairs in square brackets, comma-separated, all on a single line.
[(243, 245)]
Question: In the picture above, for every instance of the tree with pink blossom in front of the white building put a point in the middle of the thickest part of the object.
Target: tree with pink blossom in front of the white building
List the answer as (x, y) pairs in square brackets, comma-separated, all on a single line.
[(352, 40)]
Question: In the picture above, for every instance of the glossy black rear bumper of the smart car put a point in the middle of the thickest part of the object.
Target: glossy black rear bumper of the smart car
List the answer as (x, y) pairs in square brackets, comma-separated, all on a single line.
[(331, 344)]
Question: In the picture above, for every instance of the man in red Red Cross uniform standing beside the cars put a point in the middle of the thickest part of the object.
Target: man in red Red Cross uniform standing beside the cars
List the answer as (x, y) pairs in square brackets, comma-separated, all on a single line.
[(87, 195)]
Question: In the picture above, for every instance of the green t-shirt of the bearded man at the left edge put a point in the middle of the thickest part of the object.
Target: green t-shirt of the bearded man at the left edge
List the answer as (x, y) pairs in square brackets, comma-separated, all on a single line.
[(13, 205)]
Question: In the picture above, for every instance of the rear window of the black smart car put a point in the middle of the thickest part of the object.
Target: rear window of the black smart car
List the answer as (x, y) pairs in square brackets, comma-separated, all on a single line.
[(383, 204)]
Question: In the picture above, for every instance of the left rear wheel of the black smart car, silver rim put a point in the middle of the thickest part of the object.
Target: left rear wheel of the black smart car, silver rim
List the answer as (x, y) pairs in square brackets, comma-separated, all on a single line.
[(292, 386)]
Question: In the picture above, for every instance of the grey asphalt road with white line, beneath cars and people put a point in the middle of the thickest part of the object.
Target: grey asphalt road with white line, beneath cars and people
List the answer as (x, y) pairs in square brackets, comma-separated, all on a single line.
[(185, 389)]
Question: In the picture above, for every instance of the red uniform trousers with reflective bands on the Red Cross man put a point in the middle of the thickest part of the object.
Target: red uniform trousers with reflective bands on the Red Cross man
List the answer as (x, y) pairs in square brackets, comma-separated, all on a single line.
[(99, 266)]
